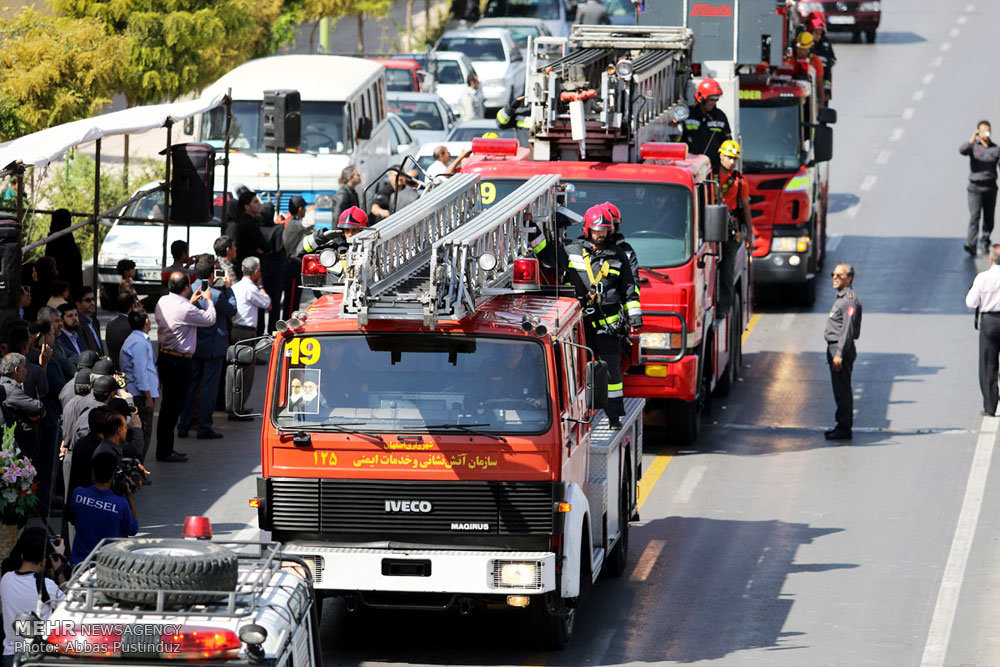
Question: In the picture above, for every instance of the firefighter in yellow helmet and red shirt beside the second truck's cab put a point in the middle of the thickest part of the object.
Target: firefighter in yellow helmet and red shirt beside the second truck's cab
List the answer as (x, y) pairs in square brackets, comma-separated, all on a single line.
[(736, 196)]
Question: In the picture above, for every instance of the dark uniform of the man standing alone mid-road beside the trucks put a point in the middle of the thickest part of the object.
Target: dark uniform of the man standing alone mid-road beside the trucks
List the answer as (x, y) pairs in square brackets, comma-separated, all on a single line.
[(843, 327)]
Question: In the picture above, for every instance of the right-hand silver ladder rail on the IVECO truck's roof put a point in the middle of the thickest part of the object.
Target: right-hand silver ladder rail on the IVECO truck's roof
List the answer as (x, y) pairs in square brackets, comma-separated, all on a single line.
[(459, 279)]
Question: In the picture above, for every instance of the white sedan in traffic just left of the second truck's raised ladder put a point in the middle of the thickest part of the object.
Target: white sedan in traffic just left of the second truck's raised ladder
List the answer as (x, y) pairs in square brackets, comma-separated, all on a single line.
[(498, 61)]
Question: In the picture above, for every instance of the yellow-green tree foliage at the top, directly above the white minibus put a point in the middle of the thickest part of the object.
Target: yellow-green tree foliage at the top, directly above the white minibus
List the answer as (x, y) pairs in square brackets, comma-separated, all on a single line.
[(172, 47)]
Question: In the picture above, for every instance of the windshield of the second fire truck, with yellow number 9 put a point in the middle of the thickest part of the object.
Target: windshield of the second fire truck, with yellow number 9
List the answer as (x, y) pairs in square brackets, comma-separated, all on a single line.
[(656, 217)]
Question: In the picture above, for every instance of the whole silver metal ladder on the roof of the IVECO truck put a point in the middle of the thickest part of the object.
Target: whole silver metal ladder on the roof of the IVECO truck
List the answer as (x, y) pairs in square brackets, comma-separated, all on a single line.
[(439, 261)]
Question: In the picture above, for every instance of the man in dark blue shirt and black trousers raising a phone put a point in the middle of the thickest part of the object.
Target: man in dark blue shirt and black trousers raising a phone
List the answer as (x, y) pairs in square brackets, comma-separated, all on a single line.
[(209, 352)]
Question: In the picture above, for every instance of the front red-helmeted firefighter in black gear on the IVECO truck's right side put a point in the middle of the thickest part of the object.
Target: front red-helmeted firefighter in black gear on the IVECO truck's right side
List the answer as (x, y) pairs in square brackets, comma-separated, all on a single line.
[(600, 273)]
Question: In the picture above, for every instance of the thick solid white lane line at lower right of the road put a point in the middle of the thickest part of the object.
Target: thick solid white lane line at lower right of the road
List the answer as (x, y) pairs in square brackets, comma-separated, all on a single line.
[(965, 532)]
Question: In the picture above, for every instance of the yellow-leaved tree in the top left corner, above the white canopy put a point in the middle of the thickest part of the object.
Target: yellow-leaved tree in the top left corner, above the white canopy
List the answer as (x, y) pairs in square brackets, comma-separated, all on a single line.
[(53, 70)]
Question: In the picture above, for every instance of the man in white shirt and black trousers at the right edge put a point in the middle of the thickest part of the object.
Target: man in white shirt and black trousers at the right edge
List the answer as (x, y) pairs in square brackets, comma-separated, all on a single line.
[(984, 296)]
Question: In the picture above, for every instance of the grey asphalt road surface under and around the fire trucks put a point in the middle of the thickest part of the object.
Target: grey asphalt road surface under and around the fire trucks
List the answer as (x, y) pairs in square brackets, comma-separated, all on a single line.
[(766, 545)]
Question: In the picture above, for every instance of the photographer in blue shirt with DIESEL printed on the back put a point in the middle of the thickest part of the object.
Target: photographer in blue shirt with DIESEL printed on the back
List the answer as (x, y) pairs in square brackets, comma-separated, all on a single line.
[(99, 513)]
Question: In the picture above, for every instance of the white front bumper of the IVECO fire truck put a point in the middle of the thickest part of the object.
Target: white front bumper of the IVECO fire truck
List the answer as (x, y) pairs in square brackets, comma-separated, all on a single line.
[(351, 569)]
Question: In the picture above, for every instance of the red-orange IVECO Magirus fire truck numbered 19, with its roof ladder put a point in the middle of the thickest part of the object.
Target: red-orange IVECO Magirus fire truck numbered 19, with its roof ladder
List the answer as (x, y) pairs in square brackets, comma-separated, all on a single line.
[(432, 437)]
